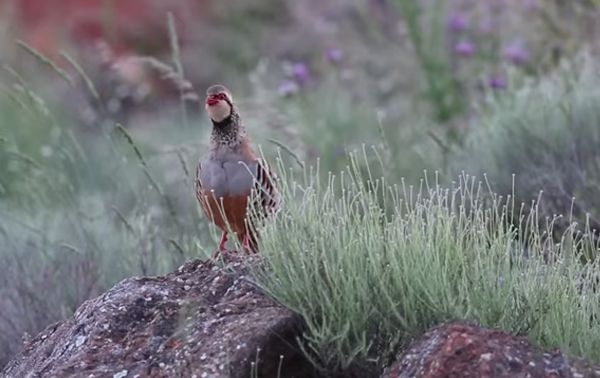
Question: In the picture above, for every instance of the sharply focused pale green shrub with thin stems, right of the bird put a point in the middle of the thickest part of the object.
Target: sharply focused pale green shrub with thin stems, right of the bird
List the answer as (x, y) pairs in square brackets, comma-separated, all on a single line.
[(367, 282)]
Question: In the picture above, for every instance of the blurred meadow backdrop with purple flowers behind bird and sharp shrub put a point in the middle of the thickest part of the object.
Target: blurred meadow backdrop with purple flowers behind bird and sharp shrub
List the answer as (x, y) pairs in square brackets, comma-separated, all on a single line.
[(102, 123)]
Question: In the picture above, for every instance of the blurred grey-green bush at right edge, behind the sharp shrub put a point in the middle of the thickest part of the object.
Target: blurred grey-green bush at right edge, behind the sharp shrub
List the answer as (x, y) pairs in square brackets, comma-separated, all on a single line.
[(546, 134)]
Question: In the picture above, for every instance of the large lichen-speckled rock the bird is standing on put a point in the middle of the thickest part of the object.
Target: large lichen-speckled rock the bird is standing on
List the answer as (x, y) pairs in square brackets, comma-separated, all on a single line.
[(200, 321)]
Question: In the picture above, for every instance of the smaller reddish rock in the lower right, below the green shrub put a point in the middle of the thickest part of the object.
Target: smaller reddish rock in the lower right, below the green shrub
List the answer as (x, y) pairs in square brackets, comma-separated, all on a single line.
[(462, 350)]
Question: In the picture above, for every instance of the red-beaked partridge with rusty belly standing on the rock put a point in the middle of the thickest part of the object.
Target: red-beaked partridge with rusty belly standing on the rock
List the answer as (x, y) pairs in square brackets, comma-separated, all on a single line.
[(233, 184)]
